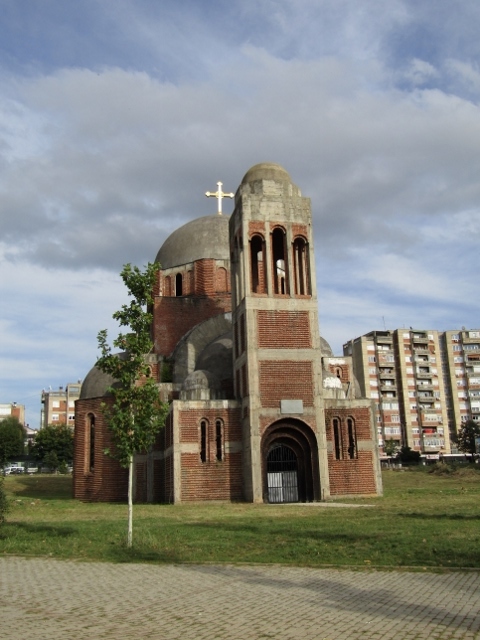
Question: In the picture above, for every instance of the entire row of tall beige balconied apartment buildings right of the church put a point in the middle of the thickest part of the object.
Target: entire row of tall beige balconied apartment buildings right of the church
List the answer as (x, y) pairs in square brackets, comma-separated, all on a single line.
[(425, 384)]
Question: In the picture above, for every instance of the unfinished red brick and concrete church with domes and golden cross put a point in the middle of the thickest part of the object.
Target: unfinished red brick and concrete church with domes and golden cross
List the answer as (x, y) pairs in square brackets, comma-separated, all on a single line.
[(260, 409)]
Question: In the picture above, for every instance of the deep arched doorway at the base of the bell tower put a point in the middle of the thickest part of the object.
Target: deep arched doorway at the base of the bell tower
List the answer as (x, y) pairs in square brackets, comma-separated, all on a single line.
[(290, 463)]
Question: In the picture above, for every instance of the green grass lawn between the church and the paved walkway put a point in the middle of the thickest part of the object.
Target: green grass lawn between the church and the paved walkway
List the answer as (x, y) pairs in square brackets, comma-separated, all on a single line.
[(424, 520)]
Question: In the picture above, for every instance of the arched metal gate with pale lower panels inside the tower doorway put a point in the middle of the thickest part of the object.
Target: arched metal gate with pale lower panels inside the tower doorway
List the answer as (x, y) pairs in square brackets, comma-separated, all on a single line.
[(282, 474)]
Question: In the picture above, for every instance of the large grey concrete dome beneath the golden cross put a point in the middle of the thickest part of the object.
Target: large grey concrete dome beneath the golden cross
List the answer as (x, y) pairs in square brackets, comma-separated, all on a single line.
[(205, 237)]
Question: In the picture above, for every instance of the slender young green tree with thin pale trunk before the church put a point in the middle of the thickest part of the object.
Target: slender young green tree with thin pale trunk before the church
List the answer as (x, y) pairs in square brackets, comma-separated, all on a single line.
[(136, 413)]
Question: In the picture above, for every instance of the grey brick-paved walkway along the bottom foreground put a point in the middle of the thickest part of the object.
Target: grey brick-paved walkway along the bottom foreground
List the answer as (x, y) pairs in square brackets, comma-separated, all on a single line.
[(50, 600)]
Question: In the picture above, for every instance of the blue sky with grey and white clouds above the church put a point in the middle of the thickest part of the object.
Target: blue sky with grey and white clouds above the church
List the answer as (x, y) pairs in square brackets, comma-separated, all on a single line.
[(116, 117)]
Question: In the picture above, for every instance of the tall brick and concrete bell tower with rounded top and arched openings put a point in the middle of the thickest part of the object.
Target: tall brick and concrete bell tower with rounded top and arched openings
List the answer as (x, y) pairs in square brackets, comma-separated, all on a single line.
[(277, 357)]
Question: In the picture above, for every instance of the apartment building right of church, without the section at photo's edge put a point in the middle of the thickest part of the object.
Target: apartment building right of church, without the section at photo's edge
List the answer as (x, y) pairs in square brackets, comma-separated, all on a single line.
[(402, 372)]
